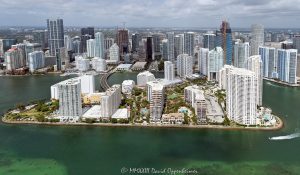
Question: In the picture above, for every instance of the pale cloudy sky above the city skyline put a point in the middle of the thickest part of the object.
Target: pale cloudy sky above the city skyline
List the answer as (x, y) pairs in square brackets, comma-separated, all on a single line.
[(152, 13)]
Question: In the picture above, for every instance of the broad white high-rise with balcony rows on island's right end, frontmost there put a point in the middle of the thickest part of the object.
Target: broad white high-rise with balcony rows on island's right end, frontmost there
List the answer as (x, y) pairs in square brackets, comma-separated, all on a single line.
[(241, 91)]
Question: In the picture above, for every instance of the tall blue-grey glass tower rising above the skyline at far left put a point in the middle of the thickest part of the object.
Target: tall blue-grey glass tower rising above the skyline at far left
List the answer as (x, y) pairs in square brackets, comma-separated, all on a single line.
[(55, 35)]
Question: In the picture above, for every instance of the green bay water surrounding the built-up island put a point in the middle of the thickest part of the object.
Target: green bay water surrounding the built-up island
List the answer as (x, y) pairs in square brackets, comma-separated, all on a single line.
[(30, 149)]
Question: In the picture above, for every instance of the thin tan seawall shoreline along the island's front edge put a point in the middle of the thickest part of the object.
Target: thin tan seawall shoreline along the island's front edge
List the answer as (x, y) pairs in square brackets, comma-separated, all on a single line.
[(218, 127)]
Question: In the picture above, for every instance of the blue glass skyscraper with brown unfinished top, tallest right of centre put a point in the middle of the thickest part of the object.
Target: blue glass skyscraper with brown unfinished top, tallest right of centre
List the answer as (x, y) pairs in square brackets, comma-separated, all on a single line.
[(225, 38)]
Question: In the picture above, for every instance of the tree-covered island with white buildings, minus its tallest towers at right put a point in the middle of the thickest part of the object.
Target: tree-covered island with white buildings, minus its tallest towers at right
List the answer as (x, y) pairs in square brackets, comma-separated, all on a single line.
[(193, 102)]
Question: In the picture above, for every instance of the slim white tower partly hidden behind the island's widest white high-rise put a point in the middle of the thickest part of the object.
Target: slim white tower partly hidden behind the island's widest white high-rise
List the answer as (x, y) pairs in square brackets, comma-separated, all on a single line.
[(254, 63)]
